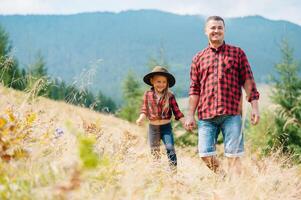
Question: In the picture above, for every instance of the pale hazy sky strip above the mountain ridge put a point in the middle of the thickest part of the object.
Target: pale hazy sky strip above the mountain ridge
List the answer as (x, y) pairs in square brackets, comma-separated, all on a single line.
[(289, 10)]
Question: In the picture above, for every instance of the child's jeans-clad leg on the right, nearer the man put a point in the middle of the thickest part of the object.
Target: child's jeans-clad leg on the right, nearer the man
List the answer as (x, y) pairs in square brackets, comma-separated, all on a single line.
[(168, 140)]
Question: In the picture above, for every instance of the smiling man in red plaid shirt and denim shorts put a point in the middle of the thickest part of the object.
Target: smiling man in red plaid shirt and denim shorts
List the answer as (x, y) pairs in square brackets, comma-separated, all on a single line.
[(217, 75)]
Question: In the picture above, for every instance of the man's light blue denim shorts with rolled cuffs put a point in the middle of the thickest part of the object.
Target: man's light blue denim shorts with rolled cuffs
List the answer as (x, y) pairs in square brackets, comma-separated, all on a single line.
[(231, 128)]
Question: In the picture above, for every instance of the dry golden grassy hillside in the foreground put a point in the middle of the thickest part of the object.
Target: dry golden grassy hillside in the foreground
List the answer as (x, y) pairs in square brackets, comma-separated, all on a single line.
[(54, 167)]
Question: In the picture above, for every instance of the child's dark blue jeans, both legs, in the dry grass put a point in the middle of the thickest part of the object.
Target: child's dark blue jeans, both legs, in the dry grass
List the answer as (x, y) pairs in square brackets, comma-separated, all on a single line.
[(162, 132)]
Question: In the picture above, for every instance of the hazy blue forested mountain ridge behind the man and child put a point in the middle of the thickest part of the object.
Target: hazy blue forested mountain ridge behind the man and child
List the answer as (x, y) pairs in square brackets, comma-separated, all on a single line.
[(114, 43)]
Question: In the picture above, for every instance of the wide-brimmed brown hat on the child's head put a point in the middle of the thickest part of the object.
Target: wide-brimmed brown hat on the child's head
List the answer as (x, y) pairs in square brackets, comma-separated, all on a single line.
[(158, 70)]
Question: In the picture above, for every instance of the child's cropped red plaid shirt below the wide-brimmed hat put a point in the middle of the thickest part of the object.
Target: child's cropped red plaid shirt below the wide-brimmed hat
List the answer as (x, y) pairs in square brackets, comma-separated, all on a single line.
[(156, 111)]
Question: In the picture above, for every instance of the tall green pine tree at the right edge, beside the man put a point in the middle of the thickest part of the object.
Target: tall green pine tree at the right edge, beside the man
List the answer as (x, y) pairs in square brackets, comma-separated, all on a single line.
[(287, 96)]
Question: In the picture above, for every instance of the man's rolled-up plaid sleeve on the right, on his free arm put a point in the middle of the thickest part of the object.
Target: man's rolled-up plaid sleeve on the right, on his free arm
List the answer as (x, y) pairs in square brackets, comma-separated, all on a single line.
[(246, 78)]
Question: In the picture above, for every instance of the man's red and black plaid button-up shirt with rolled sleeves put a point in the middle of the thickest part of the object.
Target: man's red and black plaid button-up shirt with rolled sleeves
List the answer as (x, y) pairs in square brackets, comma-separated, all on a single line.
[(217, 77)]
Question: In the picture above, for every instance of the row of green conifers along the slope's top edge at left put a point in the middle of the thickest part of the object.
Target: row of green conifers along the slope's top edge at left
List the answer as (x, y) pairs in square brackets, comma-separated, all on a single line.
[(35, 80)]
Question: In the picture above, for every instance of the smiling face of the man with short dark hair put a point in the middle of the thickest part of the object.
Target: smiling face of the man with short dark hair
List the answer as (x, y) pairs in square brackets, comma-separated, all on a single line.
[(215, 31)]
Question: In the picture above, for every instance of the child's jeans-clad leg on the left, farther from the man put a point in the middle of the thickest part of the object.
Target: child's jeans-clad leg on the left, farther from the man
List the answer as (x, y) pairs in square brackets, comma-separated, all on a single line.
[(154, 137)]
